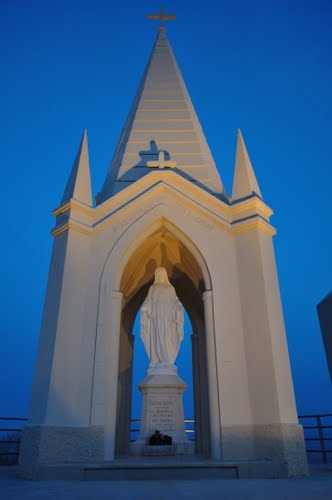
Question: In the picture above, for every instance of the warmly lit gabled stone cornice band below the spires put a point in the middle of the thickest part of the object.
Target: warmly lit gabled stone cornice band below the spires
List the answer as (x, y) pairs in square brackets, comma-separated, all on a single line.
[(154, 189)]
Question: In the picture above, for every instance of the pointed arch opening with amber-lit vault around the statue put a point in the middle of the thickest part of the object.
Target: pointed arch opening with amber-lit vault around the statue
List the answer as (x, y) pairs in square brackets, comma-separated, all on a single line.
[(163, 248)]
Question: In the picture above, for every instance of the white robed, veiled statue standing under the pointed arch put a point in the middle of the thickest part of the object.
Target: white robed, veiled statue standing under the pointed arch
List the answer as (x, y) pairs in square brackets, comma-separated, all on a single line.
[(162, 323)]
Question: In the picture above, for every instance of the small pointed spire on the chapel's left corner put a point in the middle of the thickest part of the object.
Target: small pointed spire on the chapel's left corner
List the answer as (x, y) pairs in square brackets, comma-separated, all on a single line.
[(79, 182)]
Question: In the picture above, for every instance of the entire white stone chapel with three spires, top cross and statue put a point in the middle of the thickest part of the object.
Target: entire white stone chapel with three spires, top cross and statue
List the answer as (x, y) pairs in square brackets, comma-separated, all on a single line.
[(162, 236)]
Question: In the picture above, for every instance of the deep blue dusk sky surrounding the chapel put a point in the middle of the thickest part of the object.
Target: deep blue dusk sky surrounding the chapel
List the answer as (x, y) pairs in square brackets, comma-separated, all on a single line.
[(262, 66)]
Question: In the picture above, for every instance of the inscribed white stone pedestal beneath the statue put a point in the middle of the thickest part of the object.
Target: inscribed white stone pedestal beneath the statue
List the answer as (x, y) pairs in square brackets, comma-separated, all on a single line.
[(162, 410)]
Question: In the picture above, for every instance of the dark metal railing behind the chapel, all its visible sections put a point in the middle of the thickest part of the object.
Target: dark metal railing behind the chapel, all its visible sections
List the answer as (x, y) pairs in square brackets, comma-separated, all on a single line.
[(317, 435)]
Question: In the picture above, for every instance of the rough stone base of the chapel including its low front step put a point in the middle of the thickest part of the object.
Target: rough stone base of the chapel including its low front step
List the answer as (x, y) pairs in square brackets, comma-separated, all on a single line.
[(78, 453)]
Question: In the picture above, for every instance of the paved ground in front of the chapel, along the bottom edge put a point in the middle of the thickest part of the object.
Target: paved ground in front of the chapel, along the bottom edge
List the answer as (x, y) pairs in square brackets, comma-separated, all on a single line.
[(316, 487)]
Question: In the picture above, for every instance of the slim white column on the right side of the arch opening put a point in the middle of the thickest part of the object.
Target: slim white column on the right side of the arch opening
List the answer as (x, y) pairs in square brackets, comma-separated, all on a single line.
[(212, 376)]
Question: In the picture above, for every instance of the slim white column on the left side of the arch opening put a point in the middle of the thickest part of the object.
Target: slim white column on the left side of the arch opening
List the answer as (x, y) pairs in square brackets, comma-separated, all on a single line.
[(112, 348)]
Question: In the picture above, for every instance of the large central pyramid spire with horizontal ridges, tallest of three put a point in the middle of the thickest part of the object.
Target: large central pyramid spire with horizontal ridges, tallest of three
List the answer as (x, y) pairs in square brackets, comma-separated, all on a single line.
[(162, 119)]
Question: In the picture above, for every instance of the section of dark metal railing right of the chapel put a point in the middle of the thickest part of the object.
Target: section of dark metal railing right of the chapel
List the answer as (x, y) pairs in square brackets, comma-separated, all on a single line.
[(318, 436)]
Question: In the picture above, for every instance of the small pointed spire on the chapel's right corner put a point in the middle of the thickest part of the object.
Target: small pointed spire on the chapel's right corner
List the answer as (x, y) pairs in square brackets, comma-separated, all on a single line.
[(244, 183)]
